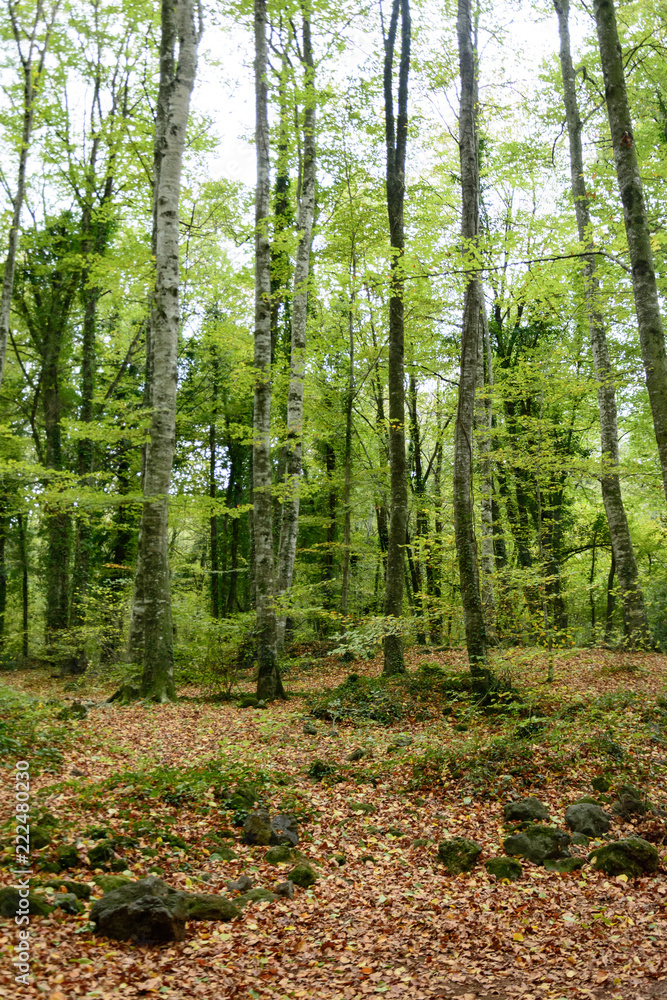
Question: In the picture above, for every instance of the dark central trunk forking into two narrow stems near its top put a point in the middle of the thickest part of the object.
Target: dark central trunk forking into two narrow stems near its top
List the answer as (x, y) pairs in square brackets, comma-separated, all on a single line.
[(396, 133)]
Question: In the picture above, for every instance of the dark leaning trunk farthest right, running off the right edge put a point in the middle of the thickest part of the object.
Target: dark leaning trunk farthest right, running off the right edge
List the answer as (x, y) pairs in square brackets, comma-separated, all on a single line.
[(647, 307)]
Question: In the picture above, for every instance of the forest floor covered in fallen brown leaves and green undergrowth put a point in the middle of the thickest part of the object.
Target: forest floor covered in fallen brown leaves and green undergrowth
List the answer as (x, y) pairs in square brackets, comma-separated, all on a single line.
[(385, 919)]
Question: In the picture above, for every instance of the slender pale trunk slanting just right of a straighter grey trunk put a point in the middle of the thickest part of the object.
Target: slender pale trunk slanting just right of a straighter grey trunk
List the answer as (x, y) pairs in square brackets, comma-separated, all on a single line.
[(289, 527)]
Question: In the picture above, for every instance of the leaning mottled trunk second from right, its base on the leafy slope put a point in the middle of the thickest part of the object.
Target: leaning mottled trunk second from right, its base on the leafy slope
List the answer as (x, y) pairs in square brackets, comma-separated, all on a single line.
[(634, 612)]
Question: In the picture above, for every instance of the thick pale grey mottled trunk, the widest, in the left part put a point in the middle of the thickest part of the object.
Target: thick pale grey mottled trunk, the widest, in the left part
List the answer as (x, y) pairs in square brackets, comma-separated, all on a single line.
[(177, 75)]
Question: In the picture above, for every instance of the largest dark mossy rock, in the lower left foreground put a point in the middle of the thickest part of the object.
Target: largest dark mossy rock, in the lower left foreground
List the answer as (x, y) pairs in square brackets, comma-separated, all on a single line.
[(147, 911)]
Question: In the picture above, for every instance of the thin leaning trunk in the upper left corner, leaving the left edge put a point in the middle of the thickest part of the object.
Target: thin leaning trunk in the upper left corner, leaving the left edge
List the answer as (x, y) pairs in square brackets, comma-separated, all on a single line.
[(32, 69)]
